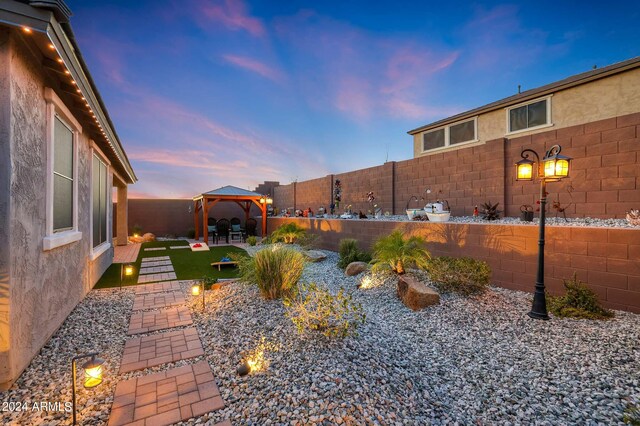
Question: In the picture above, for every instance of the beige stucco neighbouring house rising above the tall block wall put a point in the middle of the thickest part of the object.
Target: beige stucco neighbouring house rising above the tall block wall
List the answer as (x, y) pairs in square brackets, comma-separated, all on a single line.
[(602, 93)]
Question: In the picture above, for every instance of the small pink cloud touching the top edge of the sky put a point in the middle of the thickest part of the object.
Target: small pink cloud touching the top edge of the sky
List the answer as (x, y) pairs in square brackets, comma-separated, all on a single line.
[(231, 13)]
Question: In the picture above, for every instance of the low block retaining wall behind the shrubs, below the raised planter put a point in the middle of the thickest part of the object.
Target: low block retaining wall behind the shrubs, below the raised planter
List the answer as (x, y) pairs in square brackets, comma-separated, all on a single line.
[(606, 259)]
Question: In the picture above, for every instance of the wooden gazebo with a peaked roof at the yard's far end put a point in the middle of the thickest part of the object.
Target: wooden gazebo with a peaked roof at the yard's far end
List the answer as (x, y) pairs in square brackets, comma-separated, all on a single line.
[(242, 197)]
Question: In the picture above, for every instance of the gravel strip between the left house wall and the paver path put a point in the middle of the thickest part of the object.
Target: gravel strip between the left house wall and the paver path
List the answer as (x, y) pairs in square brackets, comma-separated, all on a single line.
[(98, 324)]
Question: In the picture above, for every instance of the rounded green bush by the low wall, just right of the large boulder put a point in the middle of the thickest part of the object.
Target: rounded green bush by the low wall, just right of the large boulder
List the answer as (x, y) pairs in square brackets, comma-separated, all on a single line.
[(461, 275)]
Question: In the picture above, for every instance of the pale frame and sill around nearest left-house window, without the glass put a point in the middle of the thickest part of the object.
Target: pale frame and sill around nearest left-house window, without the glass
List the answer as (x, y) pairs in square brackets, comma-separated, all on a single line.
[(55, 107)]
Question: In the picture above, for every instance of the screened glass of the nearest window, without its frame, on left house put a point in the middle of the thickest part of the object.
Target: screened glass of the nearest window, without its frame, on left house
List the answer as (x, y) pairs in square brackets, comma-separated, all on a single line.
[(62, 176)]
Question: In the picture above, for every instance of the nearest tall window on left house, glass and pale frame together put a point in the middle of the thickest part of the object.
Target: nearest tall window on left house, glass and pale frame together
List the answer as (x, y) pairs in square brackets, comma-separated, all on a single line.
[(61, 190)]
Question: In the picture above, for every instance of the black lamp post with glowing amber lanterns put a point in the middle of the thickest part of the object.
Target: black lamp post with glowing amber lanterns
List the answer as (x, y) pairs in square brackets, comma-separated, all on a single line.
[(552, 168)]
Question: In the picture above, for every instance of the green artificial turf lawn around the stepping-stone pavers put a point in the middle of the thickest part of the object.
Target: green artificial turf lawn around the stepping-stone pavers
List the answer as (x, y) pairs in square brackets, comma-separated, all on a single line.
[(187, 264)]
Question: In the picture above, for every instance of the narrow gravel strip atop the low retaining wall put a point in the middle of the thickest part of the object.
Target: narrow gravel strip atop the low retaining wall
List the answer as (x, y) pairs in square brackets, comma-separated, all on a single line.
[(555, 221)]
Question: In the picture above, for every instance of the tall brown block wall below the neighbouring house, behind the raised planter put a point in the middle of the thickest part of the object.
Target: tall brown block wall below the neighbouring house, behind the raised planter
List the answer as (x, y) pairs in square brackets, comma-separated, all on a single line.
[(604, 181)]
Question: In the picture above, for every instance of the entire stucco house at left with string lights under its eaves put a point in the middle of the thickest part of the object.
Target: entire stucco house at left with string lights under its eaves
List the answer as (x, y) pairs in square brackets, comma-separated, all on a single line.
[(60, 158)]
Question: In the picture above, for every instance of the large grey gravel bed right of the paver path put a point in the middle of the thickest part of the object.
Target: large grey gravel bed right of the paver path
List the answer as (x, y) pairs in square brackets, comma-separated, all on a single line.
[(478, 360)]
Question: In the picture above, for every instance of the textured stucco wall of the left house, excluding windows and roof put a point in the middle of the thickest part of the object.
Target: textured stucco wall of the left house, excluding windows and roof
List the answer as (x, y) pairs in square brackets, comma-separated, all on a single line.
[(43, 285)]
